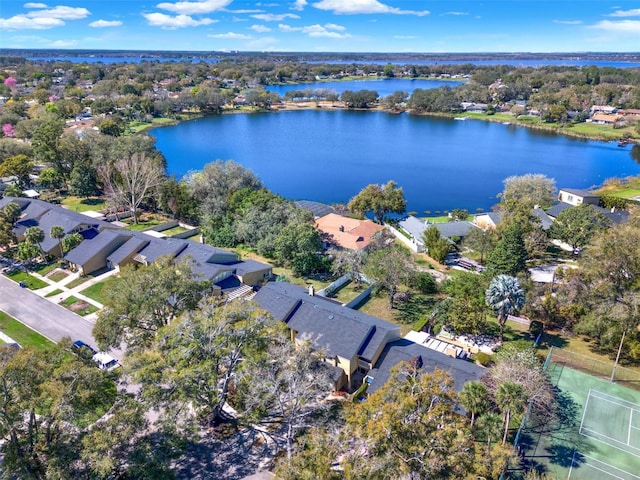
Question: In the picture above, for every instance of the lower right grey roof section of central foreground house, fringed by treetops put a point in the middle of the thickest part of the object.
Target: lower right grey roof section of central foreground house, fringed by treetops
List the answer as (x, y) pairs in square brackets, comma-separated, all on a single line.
[(405, 350)]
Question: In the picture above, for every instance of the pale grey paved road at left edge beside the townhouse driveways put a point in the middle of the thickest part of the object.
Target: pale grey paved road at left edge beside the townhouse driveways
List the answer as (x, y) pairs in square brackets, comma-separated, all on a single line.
[(47, 318)]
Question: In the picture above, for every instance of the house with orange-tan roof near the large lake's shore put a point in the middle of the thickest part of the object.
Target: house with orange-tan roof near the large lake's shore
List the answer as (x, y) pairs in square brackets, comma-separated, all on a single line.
[(344, 232)]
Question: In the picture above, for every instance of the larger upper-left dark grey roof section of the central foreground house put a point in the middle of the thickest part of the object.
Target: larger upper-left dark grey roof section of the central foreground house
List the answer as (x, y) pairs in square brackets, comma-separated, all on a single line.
[(338, 330)]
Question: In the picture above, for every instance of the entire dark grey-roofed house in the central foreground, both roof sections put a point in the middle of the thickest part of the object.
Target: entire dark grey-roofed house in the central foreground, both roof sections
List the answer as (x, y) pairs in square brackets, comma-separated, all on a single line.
[(360, 347)]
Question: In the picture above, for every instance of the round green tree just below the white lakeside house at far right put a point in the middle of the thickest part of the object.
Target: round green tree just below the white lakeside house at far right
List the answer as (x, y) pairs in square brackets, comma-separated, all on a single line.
[(577, 225)]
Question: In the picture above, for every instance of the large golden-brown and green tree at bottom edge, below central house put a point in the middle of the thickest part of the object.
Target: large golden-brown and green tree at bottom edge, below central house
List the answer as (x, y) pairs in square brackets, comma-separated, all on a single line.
[(409, 428)]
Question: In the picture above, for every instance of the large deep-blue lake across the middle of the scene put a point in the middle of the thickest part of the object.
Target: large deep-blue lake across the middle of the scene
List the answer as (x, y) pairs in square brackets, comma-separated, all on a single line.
[(329, 156)]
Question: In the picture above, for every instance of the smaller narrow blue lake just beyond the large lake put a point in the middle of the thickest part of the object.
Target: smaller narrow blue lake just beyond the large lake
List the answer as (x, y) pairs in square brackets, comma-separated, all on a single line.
[(384, 86)]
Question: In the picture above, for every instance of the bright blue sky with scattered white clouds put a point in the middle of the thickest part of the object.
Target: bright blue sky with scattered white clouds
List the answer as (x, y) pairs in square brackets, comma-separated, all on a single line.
[(324, 25)]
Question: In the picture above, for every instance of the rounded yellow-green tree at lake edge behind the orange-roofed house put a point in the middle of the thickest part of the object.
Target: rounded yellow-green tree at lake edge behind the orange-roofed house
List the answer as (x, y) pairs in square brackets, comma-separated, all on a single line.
[(380, 200)]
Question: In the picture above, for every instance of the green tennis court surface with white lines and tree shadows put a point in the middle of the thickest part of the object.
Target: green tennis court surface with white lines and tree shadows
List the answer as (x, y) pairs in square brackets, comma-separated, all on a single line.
[(596, 435)]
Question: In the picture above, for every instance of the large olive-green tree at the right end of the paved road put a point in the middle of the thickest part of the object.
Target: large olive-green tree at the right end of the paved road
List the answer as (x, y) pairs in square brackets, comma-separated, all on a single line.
[(143, 300)]
